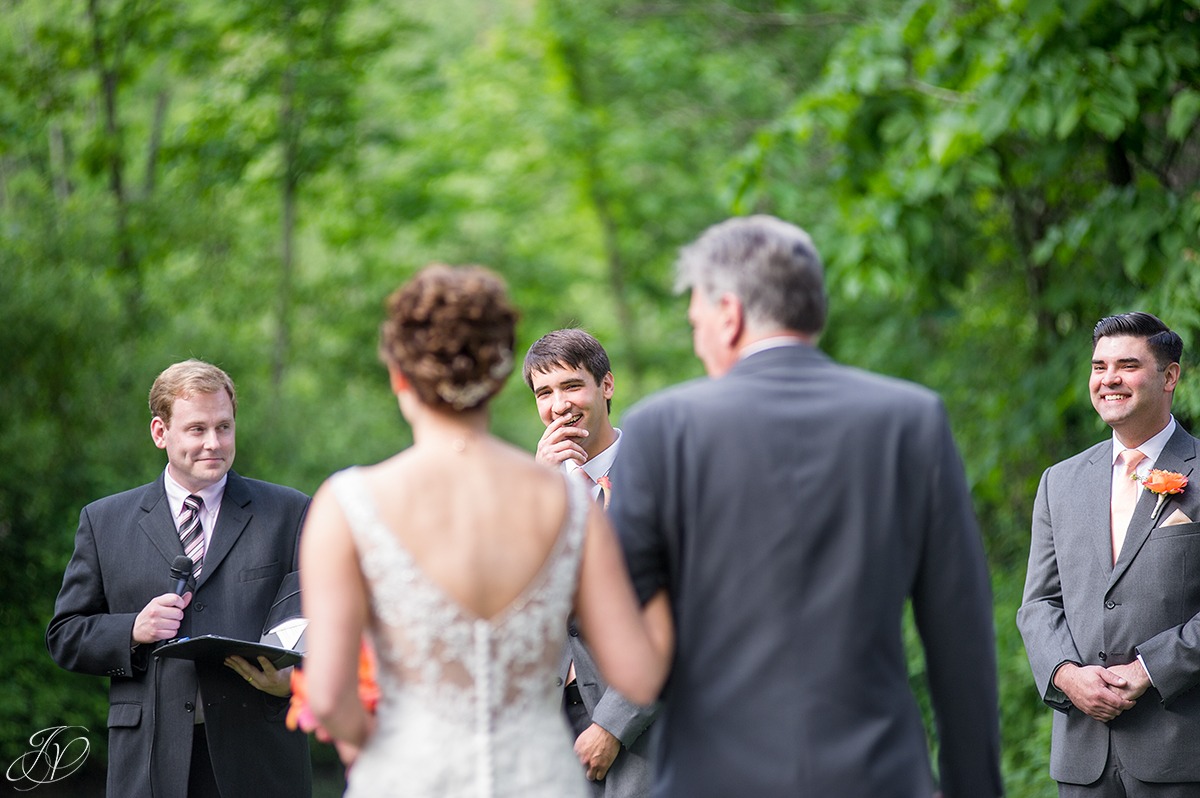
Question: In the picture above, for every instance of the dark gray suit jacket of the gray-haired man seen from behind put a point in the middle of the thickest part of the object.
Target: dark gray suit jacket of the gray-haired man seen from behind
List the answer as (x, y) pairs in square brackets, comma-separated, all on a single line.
[(791, 508)]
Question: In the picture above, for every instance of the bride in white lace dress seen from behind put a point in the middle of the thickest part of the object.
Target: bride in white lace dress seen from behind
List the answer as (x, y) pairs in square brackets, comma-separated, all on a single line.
[(461, 559)]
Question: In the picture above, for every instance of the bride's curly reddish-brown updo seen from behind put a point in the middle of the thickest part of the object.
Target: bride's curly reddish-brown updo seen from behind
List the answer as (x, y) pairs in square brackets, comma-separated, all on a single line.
[(451, 332)]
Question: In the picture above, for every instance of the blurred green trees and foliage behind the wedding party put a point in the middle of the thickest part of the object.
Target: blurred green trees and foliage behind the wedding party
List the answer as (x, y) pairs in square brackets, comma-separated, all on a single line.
[(245, 182)]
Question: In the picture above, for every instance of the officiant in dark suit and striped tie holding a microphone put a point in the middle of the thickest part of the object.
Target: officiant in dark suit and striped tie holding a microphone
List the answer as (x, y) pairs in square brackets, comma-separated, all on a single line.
[(176, 729)]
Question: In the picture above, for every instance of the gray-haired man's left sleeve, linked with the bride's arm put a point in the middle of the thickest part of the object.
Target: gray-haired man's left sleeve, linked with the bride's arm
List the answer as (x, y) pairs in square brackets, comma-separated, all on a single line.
[(640, 521)]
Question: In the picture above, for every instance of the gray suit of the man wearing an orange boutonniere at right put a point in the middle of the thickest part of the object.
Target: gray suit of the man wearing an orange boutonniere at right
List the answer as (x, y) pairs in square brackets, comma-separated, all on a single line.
[(1081, 608)]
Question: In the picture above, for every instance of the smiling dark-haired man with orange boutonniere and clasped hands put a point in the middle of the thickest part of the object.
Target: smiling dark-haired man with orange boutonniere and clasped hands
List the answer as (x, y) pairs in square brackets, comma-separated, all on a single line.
[(1112, 608)]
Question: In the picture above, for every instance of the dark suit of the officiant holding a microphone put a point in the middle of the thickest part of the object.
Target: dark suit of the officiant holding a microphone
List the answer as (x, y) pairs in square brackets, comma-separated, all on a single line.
[(123, 555)]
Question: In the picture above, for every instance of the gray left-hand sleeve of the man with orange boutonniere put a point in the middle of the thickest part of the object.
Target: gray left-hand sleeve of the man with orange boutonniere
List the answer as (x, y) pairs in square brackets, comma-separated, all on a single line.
[(1042, 620)]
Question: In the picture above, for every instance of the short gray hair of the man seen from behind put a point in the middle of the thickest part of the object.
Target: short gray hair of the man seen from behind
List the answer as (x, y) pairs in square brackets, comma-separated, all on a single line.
[(770, 266)]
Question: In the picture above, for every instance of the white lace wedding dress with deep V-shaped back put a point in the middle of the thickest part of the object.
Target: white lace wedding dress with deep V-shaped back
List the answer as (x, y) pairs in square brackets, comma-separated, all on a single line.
[(469, 705)]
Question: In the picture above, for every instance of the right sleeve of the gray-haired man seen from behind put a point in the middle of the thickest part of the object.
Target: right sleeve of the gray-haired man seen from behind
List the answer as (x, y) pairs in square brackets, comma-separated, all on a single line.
[(952, 605)]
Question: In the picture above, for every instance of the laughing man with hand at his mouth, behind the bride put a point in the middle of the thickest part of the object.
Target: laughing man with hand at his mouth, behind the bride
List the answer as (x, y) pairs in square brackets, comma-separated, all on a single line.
[(573, 385)]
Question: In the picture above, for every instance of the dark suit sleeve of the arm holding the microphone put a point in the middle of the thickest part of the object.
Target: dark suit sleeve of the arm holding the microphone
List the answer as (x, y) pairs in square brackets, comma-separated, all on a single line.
[(83, 635)]
